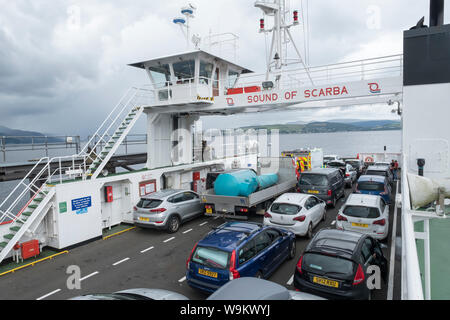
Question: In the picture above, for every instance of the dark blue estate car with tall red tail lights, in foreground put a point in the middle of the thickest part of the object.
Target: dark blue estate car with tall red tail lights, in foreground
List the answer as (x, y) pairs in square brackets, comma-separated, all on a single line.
[(238, 249)]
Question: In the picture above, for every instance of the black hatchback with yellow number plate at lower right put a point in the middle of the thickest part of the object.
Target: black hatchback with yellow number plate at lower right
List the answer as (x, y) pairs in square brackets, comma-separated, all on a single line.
[(335, 263)]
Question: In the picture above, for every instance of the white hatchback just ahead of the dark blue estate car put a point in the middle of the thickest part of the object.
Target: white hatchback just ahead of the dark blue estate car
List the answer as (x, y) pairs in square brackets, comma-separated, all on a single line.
[(296, 212)]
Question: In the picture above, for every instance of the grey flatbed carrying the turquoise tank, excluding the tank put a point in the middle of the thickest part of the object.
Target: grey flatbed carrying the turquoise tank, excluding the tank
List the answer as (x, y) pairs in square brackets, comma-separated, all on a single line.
[(238, 207)]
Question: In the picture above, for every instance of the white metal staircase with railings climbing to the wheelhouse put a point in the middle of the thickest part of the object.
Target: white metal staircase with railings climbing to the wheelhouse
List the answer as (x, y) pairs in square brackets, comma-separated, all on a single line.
[(20, 214)]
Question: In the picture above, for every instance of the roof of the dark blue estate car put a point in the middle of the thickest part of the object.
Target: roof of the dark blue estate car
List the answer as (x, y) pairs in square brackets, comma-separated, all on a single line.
[(229, 235)]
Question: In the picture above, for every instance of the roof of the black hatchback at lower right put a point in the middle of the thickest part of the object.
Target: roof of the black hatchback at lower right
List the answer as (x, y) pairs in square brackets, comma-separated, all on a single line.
[(340, 242)]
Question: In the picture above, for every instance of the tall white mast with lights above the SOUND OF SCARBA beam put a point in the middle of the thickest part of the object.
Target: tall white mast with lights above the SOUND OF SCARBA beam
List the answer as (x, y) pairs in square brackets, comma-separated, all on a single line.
[(281, 34)]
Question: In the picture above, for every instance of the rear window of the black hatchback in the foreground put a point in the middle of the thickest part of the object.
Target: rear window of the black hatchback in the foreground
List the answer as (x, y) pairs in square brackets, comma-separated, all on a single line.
[(327, 265)]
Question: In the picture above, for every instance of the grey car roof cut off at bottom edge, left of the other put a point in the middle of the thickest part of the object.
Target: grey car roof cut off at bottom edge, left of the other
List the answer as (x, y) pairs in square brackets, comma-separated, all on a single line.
[(134, 294)]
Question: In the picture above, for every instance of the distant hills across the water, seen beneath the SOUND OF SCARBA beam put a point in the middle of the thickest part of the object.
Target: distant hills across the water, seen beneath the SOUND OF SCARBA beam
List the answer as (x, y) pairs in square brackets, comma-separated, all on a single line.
[(323, 127)]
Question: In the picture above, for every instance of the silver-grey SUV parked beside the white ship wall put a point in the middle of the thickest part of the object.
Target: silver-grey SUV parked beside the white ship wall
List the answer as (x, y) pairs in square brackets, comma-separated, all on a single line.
[(167, 209)]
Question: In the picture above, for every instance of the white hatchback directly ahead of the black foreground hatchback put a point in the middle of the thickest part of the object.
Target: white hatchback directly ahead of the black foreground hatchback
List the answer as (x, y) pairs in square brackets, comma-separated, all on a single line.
[(363, 213)]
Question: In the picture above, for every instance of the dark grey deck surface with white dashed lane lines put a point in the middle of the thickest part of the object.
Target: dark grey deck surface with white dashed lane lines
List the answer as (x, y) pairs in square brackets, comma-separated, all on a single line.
[(143, 258)]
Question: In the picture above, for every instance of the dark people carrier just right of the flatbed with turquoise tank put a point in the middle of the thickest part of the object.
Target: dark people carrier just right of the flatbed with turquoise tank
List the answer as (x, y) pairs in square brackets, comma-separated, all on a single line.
[(326, 184)]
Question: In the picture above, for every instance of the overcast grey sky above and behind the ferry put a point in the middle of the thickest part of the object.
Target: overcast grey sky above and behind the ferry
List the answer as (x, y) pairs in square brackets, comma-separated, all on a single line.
[(63, 64)]
